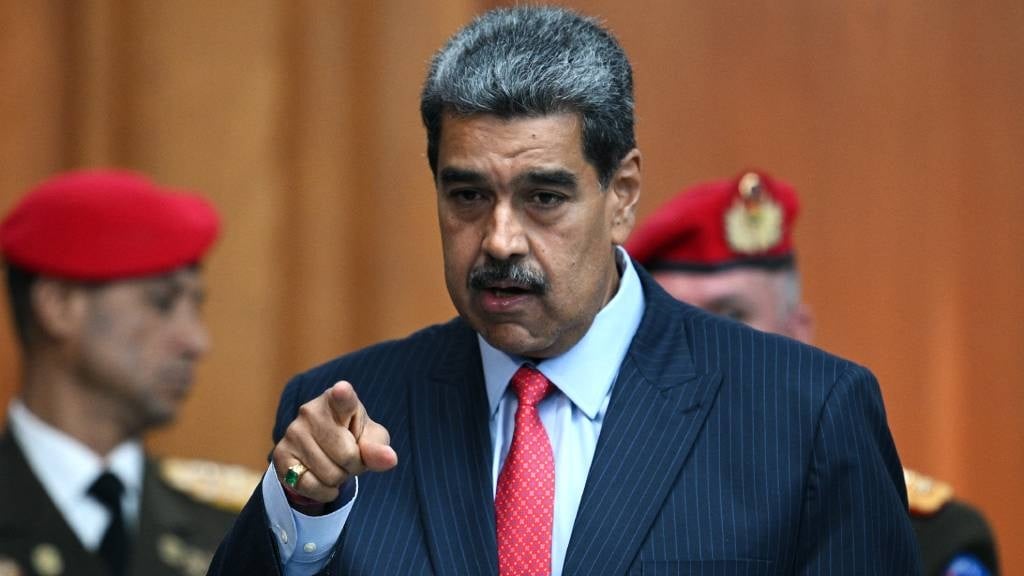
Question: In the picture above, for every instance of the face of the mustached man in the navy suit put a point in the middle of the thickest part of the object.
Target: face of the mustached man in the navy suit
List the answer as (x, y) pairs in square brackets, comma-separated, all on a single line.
[(528, 232)]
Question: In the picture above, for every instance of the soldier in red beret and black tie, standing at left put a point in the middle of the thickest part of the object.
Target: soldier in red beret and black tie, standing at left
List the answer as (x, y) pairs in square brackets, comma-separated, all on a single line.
[(106, 292)]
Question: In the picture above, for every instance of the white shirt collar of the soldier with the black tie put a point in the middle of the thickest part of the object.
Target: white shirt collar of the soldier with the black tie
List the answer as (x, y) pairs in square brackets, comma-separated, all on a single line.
[(67, 468)]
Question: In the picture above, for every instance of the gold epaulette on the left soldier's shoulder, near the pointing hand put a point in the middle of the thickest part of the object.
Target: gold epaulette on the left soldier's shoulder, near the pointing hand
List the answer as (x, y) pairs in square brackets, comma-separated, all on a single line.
[(225, 486)]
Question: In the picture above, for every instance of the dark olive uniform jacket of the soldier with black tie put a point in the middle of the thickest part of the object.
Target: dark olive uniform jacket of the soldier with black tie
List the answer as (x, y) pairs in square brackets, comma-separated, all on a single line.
[(182, 520)]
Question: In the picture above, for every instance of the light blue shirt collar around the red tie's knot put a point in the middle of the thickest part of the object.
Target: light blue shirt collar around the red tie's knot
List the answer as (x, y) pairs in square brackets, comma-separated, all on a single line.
[(585, 374)]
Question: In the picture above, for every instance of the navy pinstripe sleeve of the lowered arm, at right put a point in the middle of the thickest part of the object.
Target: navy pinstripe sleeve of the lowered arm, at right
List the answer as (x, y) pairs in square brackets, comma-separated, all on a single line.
[(855, 518)]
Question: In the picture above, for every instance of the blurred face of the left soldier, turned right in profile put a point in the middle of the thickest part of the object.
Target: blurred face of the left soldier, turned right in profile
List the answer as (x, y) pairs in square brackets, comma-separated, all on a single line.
[(140, 343)]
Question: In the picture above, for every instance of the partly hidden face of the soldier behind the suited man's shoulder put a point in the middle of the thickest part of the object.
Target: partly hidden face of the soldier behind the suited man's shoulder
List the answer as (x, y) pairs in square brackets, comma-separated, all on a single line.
[(753, 297)]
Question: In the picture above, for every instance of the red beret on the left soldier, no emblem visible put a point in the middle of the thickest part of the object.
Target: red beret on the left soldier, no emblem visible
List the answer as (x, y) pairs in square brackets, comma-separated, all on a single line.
[(106, 225)]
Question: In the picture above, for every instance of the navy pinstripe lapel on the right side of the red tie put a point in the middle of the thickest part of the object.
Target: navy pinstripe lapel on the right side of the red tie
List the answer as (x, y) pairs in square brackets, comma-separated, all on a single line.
[(657, 413)]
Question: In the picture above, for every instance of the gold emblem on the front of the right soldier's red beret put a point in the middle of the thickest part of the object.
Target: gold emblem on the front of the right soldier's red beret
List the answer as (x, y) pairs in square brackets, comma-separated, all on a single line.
[(754, 223)]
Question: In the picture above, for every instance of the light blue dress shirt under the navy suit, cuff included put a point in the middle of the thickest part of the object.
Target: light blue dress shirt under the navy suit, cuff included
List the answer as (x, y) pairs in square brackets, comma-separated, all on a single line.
[(572, 417)]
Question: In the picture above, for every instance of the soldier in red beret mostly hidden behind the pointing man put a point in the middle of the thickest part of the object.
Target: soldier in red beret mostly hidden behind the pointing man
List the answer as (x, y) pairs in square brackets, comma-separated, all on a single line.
[(728, 248)]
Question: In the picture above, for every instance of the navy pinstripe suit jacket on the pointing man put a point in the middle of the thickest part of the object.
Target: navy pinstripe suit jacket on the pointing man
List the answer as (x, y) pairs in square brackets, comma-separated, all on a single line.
[(724, 451)]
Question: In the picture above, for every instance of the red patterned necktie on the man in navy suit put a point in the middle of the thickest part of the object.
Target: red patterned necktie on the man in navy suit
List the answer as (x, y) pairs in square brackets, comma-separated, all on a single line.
[(526, 499)]
